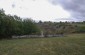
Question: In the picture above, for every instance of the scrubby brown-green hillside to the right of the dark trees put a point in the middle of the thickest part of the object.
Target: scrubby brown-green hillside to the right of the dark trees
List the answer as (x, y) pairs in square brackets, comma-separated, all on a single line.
[(62, 27)]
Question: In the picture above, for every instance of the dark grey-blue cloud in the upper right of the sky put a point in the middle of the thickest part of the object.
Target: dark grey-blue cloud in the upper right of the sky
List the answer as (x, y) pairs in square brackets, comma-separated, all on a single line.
[(75, 7)]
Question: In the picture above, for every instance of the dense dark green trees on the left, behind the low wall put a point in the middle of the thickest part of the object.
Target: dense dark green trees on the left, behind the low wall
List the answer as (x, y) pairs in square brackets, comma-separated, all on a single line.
[(14, 25)]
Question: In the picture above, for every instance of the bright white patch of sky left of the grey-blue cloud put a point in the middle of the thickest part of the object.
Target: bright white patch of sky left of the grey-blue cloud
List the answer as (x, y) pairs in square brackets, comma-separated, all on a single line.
[(35, 9)]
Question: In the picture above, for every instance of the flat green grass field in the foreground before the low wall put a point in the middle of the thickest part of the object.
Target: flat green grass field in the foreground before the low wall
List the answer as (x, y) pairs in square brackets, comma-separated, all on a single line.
[(73, 44)]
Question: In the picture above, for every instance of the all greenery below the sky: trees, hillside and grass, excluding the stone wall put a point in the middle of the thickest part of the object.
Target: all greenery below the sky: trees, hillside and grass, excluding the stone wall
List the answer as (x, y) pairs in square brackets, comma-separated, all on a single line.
[(72, 44)]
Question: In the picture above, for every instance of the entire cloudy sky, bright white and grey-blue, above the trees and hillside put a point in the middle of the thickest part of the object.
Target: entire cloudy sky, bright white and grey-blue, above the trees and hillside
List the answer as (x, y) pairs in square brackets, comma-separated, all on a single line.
[(46, 10)]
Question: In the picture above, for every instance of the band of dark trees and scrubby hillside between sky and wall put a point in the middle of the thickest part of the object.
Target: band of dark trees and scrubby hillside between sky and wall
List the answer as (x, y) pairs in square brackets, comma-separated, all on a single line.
[(14, 25)]
